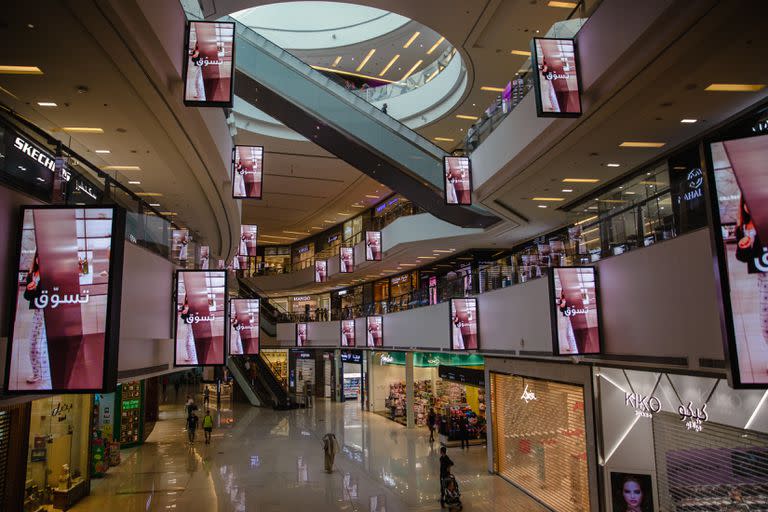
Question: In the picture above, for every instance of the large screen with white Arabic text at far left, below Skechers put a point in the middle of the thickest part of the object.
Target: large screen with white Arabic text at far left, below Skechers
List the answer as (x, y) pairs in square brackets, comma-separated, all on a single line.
[(66, 313)]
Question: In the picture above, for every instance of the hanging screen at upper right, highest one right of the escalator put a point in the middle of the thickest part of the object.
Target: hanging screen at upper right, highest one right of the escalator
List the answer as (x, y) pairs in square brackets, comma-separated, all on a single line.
[(556, 80)]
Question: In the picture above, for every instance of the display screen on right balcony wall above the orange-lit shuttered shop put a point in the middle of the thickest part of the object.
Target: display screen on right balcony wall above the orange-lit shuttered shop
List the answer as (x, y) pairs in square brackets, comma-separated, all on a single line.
[(575, 311)]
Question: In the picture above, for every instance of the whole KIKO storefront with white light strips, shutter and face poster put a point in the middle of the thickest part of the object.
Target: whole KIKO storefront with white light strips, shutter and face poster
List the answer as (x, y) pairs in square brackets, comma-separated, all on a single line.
[(682, 442)]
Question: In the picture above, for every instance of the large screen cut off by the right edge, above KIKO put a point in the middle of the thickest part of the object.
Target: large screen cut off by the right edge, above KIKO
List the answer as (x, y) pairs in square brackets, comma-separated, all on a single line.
[(741, 233)]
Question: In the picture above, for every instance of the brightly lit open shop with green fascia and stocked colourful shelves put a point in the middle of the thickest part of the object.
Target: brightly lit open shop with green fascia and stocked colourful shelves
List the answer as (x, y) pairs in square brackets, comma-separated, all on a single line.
[(449, 398)]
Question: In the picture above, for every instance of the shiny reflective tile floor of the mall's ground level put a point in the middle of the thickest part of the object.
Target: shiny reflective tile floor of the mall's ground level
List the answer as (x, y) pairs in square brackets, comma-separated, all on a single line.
[(264, 460)]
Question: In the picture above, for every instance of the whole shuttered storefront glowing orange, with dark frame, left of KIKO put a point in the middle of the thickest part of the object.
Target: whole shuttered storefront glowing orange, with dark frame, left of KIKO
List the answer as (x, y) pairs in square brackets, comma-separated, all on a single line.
[(542, 432)]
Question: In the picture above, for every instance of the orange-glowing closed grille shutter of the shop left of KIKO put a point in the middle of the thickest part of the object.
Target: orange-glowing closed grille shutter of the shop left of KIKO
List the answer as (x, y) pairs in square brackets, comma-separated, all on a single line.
[(539, 439)]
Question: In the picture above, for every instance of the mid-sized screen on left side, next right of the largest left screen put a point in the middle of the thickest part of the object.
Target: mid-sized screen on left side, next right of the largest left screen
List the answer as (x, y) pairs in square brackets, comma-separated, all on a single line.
[(200, 312)]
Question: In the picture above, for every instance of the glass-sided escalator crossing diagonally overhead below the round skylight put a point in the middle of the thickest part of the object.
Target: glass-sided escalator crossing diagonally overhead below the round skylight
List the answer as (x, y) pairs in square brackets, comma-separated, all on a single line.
[(314, 105)]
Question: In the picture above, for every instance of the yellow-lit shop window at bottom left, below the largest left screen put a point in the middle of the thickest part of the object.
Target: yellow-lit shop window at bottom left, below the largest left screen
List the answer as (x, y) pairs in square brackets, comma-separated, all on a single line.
[(58, 467)]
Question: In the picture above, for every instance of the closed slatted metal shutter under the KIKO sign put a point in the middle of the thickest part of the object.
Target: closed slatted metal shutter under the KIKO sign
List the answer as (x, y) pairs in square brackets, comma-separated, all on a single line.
[(699, 471)]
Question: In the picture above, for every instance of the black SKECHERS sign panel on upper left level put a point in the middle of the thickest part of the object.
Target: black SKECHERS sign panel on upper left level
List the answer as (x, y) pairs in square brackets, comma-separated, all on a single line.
[(24, 165)]
